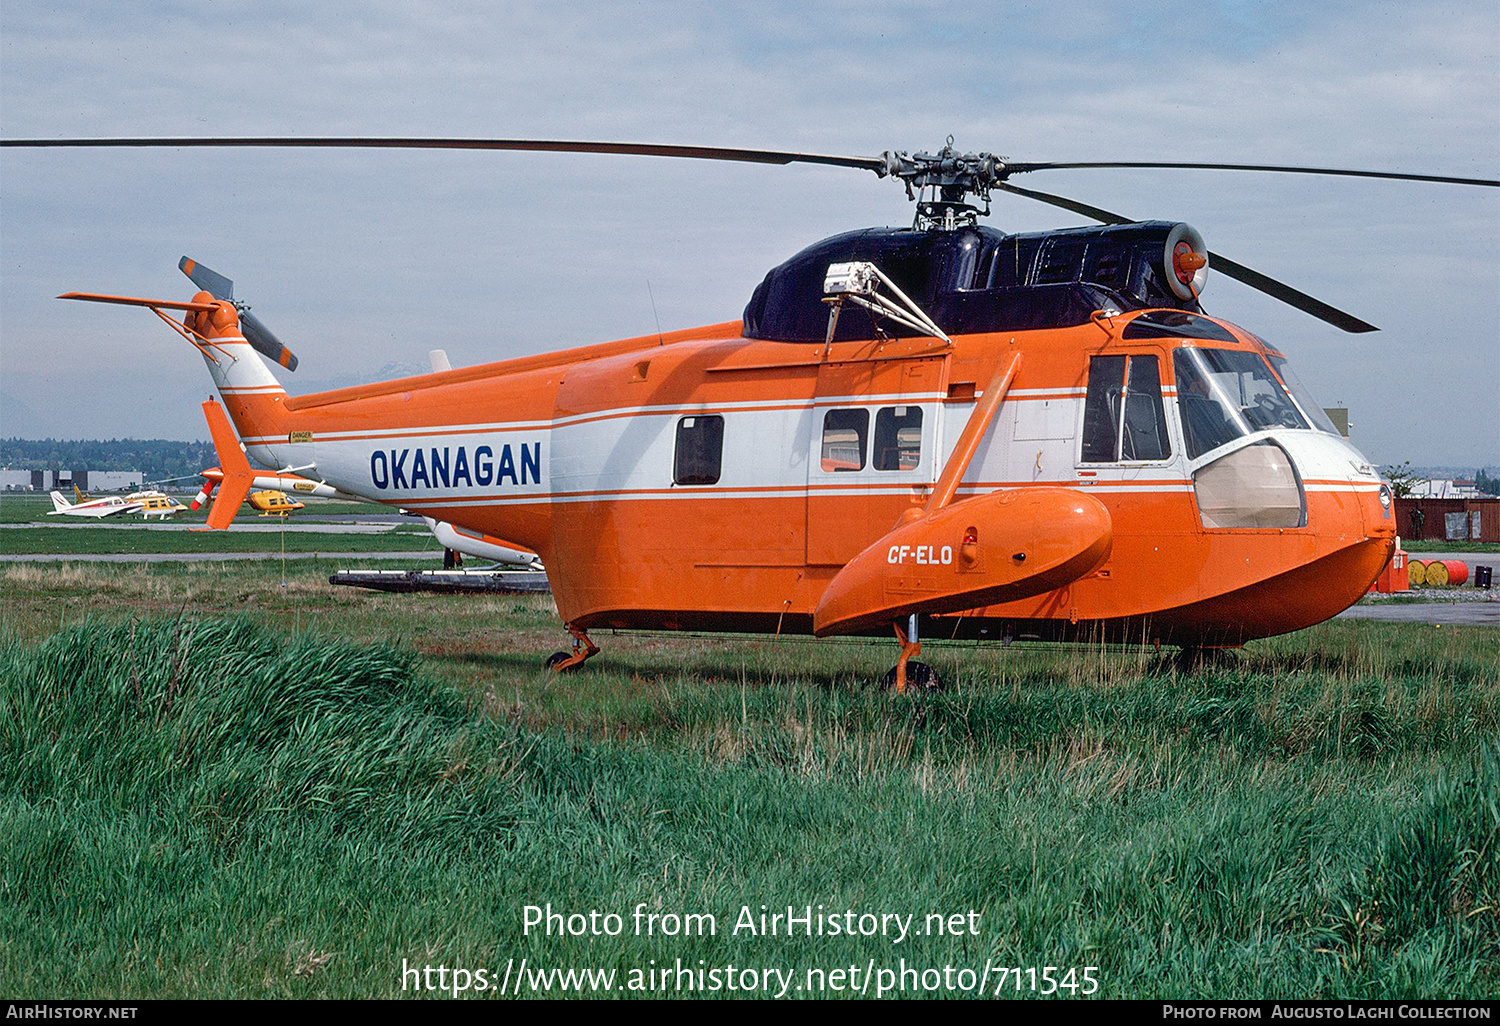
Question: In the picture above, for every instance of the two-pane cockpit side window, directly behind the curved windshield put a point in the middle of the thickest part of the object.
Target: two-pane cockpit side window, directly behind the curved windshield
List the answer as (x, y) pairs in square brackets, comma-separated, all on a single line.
[(1123, 412)]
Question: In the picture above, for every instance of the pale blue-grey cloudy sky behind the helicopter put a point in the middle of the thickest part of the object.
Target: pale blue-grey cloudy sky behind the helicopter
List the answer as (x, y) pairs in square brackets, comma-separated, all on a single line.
[(364, 262)]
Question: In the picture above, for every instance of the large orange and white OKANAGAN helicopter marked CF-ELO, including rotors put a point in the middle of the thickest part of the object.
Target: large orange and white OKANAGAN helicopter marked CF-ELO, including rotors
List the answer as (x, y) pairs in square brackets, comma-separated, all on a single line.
[(934, 433)]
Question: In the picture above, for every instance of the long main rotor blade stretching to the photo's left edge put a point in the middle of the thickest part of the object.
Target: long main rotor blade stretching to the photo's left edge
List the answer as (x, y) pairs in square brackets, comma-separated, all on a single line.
[(412, 143)]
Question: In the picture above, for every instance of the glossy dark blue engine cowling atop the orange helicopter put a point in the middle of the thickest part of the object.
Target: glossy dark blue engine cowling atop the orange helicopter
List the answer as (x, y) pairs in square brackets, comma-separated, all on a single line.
[(973, 281)]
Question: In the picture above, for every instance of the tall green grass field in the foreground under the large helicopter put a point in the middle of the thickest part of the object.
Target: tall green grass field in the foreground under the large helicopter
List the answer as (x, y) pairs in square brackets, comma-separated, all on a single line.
[(217, 784)]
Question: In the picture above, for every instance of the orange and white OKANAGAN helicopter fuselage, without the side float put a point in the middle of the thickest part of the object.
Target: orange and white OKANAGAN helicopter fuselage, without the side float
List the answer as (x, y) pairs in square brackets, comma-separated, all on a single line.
[(707, 481)]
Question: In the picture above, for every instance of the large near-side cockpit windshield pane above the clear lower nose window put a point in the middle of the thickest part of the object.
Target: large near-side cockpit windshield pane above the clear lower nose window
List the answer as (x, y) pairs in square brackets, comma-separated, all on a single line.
[(1228, 394)]
